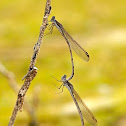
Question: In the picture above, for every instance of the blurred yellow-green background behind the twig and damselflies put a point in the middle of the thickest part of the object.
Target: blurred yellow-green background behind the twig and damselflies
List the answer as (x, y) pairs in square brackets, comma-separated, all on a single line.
[(99, 26)]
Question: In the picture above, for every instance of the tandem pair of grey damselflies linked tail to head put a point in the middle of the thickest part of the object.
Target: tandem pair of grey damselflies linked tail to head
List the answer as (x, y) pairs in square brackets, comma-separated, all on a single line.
[(81, 107)]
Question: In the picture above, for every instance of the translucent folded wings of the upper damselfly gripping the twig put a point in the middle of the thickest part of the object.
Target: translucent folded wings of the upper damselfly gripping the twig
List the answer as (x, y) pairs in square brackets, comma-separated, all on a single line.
[(76, 47)]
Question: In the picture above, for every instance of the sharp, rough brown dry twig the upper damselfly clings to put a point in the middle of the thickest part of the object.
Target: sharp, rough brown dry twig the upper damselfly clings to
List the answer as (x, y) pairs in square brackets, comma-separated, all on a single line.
[(32, 71)]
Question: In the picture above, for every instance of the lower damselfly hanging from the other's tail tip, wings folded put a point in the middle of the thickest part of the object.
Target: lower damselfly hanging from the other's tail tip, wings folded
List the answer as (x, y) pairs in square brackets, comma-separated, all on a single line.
[(83, 110)]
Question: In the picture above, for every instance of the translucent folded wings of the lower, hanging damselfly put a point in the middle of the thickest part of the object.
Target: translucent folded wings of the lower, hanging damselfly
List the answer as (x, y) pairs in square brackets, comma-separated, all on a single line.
[(84, 109)]
